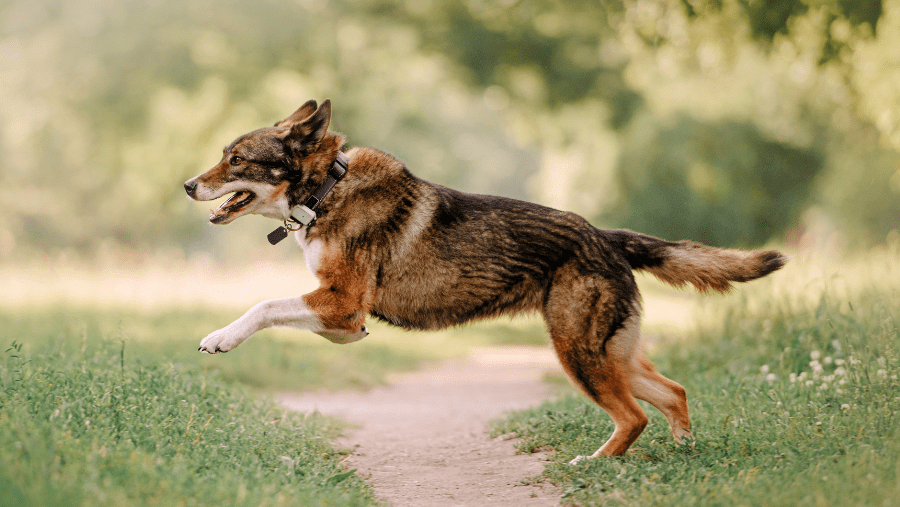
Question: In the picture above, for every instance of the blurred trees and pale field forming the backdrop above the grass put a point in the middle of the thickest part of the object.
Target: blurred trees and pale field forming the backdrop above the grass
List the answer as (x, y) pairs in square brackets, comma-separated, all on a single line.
[(731, 122)]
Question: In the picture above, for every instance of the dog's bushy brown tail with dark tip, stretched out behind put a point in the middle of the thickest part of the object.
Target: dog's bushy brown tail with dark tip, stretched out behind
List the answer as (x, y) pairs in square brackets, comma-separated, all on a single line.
[(682, 262)]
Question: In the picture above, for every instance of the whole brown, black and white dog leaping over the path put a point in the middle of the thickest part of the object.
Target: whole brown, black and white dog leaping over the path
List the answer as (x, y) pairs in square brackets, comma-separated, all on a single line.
[(422, 256)]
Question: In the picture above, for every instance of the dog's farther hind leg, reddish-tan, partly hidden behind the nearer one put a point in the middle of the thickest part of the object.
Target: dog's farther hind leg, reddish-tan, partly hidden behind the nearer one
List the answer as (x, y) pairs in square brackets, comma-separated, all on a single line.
[(666, 395)]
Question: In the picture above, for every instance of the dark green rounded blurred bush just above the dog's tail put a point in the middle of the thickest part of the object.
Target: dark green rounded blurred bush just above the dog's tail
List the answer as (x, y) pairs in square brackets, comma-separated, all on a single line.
[(718, 183)]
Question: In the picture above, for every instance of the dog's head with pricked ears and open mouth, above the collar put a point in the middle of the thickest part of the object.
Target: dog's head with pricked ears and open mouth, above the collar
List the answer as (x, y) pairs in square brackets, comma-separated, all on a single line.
[(260, 168)]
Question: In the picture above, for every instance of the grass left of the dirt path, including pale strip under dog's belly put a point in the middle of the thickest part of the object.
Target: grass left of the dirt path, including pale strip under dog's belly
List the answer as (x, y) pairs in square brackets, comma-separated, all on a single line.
[(113, 407)]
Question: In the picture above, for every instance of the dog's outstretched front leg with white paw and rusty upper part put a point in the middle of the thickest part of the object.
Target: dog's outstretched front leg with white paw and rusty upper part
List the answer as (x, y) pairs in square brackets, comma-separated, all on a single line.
[(323, 312)]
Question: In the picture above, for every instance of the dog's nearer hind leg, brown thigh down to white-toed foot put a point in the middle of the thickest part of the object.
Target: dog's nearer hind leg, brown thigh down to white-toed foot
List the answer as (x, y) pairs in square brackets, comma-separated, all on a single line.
[(595, 345)]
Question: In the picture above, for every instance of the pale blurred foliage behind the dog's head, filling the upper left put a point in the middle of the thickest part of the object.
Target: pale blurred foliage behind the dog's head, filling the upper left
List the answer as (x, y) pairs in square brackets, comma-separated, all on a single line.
[(107, 106)]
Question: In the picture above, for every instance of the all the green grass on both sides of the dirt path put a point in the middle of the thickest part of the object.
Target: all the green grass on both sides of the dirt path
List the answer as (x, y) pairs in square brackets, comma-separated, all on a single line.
[(792, 386)]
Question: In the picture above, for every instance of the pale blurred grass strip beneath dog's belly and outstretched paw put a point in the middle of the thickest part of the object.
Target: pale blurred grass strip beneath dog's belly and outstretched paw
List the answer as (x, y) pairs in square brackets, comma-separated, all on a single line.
[(281, 359)]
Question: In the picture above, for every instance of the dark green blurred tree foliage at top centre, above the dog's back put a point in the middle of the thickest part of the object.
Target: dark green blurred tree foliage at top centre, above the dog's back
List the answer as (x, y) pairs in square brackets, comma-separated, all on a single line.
[(544, 53)]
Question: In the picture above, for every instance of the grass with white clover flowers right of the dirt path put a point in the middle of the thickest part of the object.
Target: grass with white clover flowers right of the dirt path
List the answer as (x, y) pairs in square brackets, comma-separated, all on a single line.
[(794, 396)]
